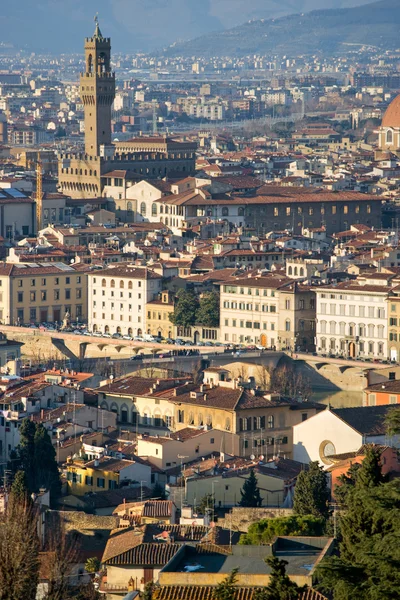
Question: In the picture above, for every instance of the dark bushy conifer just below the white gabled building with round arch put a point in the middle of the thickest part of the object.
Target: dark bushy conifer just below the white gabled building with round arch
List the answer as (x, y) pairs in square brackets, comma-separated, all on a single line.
[(311, 494)]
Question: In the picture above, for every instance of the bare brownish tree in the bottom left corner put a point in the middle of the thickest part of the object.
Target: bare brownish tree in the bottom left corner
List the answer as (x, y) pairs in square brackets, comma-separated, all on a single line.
[(19, 551)]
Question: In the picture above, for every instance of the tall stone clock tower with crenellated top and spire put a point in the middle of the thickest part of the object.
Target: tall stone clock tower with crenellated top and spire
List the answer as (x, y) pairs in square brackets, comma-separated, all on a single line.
[(97, 90)]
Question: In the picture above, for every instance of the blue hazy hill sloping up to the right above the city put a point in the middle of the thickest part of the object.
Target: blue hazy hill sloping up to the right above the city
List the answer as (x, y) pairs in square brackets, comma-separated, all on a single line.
[(329, 31)]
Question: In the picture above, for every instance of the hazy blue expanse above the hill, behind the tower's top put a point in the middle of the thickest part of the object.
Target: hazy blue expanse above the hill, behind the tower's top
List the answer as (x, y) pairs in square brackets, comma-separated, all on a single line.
[(135, 25)]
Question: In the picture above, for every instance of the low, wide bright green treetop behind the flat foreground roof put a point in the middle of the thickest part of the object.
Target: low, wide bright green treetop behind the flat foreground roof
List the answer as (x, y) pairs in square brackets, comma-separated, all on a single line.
[(265, 530)]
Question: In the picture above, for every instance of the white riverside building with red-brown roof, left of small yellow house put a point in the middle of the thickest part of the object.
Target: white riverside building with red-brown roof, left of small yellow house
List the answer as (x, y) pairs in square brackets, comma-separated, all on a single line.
[(117, 299)]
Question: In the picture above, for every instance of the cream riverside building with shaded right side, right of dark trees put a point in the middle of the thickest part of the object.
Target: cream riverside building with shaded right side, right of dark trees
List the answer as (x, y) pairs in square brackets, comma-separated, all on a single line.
[(269, 310)]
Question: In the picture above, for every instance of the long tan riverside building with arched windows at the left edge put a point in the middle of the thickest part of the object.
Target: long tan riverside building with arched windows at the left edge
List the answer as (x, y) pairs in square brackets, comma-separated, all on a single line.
[(41, 292)]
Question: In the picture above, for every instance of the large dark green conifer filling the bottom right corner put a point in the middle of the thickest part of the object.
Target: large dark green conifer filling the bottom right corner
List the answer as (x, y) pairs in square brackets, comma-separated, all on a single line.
[(368, 561)]
